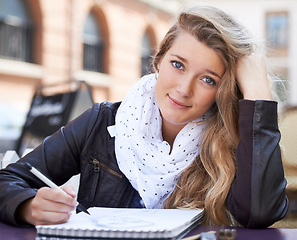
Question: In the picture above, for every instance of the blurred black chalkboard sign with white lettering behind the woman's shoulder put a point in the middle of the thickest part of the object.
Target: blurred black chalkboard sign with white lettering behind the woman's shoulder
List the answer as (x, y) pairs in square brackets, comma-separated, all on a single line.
[(48, 113)]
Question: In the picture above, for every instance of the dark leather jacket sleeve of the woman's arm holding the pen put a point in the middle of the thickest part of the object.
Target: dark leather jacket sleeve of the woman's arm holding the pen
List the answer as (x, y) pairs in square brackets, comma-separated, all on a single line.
[(57, 157)]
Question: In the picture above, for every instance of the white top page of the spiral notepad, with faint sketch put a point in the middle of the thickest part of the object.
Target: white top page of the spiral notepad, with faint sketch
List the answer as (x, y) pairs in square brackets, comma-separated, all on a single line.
[(125, 219)]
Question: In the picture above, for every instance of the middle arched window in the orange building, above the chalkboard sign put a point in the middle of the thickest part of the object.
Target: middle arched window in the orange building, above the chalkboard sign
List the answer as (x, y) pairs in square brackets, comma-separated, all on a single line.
[(93, 46)]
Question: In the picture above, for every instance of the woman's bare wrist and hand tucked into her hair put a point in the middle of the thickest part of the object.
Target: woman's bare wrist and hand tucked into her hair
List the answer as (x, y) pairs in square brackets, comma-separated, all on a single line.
[(252, 78)]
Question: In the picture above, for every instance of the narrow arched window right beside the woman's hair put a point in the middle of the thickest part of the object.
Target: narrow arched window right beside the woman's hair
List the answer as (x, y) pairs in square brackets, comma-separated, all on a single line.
[(146, 55)]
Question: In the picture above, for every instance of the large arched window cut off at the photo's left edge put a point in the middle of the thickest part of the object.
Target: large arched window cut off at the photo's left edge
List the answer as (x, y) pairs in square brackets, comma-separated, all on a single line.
[(16, 31)]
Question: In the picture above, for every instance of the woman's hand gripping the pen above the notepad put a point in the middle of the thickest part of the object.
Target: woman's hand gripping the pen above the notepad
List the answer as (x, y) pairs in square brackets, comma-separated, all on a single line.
[(49, 206)]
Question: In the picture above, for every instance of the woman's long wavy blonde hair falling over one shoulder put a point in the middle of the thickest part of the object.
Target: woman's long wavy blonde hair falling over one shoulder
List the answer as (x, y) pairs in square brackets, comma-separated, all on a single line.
[(207, 181)]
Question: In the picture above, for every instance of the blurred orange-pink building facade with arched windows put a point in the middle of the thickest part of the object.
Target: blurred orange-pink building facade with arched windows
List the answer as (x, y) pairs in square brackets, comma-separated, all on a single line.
[(102, 42)]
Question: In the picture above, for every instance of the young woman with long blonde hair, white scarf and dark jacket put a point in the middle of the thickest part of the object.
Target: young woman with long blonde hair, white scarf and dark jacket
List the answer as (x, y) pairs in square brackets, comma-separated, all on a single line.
[(199, 133)]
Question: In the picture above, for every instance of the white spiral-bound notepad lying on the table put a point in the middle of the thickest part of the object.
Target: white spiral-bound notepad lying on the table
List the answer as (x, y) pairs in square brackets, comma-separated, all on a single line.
[(126, 223)]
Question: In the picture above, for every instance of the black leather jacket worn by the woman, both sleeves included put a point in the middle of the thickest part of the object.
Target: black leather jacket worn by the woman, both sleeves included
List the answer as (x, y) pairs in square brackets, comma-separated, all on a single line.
[(256, 199)]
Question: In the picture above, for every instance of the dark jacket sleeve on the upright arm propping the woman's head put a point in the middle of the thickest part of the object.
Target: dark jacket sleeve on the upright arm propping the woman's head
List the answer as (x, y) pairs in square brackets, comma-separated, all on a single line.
[(257, 196)]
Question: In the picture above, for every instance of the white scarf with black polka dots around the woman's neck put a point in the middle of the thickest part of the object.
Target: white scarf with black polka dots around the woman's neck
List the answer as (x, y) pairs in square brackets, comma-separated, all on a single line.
[(141, 153)]
